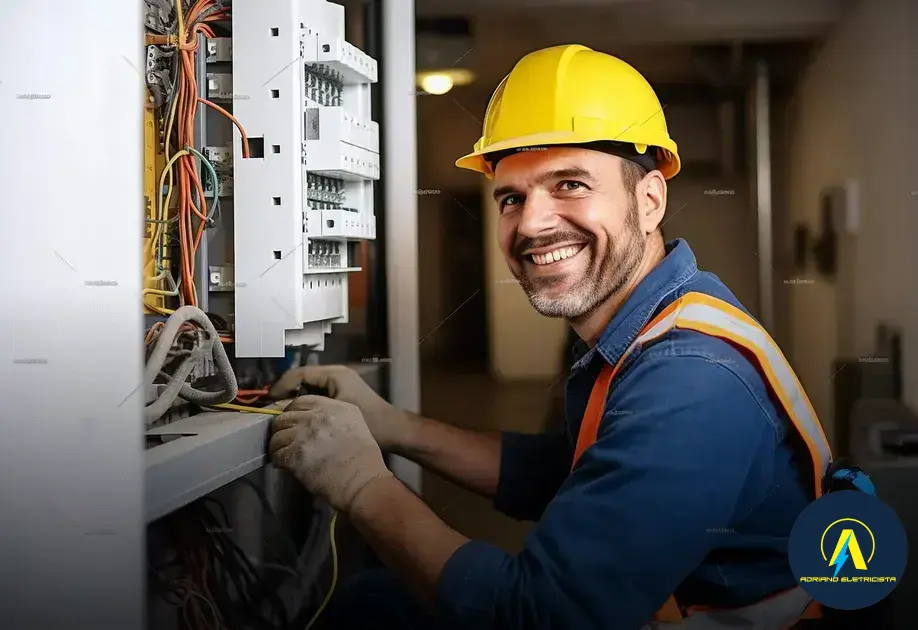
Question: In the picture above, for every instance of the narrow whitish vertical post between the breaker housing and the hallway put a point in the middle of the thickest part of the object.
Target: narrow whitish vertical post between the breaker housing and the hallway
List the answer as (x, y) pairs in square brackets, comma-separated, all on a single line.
[(399, 126)]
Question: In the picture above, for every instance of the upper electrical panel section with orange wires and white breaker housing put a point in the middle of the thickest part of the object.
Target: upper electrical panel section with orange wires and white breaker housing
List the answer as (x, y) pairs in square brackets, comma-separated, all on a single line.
[(255, 194)]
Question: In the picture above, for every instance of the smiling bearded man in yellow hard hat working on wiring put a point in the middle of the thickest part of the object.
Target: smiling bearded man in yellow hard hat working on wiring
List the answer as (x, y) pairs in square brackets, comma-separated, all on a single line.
[(690, 447)]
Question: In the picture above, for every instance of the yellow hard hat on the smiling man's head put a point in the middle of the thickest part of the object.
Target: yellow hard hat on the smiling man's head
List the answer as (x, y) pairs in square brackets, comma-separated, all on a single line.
[(573, 95)]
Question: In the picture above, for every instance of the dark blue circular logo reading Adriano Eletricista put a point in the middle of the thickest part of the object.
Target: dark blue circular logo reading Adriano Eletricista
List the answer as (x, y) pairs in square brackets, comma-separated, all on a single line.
[(848, 550)]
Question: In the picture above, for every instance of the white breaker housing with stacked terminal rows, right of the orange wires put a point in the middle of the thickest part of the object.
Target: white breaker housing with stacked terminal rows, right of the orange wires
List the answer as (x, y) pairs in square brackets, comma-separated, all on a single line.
[(302, 94)]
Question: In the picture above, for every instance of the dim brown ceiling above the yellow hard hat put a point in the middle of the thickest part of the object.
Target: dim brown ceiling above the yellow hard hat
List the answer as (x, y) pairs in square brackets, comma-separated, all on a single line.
[(659, 37)]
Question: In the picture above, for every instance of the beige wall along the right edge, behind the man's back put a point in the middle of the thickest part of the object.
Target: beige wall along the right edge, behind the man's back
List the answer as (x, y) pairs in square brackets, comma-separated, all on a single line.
[(854, 116)]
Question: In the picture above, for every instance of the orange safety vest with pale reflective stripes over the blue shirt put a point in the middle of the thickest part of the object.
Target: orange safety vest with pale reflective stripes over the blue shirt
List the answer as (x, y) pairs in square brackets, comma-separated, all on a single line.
[(711, 316)]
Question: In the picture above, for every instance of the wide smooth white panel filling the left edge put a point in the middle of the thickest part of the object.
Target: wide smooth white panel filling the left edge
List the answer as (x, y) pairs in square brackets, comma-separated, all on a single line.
[(71, 216)]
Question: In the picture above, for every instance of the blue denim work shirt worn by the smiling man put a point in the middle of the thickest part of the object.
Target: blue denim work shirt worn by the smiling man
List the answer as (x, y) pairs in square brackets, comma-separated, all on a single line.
[(690, 489)]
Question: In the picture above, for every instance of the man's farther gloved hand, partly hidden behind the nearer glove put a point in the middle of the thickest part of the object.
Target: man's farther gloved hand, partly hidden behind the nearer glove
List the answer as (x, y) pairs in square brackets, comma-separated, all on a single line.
[(389, 425)]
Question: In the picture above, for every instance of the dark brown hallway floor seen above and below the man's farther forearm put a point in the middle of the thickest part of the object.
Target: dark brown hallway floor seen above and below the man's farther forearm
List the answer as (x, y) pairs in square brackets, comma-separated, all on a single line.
[(473, 400)]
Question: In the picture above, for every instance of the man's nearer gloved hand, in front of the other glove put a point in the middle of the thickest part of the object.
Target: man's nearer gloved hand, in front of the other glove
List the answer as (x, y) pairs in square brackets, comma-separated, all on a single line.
[(326, 444)]
